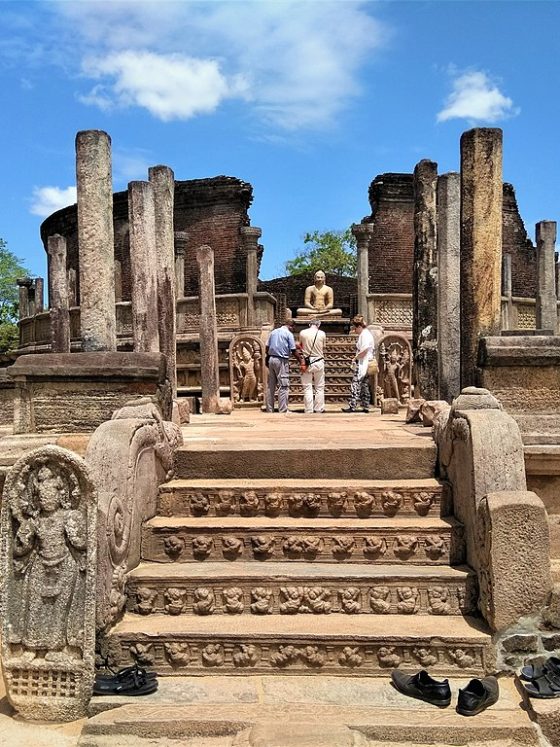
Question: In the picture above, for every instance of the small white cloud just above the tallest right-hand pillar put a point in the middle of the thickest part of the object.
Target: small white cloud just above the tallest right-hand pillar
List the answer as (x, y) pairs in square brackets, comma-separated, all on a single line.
[(476, 97)]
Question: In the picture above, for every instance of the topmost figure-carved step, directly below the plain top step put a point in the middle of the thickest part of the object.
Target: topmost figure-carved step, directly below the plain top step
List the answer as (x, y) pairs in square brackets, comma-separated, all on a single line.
[(302, 498)]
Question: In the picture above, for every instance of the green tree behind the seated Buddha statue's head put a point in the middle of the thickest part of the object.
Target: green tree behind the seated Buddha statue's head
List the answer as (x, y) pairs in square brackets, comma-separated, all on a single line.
[(330, 251)]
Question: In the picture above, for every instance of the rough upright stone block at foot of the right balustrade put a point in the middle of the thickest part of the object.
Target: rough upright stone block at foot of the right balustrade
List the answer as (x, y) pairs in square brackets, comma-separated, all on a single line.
[(514, 572)]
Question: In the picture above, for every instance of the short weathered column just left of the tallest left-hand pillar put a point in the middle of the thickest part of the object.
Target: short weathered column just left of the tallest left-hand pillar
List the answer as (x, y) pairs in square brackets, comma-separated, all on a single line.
[(58, 295)]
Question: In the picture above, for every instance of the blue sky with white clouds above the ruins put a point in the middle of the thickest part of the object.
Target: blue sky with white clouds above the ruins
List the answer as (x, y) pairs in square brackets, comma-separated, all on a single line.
[(308, 101)]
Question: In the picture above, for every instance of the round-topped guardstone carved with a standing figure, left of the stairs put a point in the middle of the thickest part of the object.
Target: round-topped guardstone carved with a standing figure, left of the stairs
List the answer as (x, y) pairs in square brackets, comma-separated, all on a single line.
[(48, 558)]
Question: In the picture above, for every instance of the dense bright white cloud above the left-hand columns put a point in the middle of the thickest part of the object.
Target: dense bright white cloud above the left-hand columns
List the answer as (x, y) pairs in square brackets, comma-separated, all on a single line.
[(168, 86)]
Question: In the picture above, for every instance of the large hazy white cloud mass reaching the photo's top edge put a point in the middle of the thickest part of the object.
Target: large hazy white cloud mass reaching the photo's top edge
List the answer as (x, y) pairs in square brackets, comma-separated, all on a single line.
[(295, 64)]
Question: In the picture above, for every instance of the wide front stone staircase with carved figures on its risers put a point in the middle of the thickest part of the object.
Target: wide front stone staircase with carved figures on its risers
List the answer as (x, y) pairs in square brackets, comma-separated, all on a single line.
[(332, 575)]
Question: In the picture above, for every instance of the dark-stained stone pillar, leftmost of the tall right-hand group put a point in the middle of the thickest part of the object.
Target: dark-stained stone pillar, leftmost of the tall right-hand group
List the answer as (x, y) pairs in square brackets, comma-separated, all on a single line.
[(425, 281)]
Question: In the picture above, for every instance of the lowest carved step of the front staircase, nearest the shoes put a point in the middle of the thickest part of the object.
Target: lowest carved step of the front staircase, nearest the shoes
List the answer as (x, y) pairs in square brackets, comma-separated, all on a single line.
[(329, 644)]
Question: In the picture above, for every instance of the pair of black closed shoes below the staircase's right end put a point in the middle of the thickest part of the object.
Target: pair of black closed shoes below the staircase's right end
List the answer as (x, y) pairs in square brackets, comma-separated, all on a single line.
[(476, 697)]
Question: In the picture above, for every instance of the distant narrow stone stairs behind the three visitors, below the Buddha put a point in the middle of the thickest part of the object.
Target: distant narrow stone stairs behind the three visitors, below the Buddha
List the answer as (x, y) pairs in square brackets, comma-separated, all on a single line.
[(340, 350)]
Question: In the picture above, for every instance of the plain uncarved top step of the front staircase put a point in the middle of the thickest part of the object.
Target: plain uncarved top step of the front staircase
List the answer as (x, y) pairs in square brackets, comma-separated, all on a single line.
[(329, 459)]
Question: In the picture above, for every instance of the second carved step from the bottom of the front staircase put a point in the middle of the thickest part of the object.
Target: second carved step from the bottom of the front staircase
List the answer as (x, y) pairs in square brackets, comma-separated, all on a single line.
[(282, 588)]
